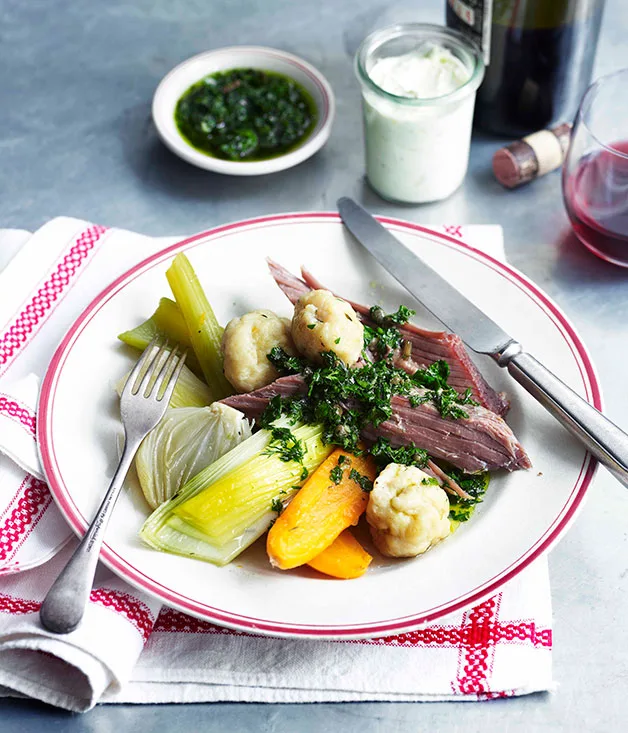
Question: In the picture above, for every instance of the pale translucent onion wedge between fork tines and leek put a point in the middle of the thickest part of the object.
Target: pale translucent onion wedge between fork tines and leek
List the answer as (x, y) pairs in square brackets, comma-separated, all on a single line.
[(187, 440)]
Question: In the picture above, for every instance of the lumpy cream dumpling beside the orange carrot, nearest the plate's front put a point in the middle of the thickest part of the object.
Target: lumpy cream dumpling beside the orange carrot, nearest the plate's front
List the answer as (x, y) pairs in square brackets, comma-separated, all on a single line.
[(407, 511)]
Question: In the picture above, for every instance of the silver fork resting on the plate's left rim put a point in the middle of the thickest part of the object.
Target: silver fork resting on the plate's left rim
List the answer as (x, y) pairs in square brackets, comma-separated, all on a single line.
[(143, 403)]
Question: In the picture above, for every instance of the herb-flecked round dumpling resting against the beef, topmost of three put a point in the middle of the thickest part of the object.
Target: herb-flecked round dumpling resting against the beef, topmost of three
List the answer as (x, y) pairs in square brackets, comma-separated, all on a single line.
[(323, 322)]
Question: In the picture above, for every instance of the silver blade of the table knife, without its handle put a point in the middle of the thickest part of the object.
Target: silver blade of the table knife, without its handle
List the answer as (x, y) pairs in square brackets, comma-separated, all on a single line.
[(457, 313)]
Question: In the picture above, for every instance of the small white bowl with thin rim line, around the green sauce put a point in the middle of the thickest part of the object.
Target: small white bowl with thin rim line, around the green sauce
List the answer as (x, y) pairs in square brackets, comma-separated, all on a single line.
[(181, 78)]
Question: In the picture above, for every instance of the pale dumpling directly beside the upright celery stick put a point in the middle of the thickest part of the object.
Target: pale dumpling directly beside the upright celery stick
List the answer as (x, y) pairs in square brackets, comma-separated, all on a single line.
[(246, 342)]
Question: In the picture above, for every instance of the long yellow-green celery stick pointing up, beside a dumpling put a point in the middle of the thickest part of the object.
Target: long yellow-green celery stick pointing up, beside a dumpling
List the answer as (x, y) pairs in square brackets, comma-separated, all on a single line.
[(204, 330)]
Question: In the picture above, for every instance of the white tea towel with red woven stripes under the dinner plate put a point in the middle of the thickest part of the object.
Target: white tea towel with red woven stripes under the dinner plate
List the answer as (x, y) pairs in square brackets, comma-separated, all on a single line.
[(125, 651)]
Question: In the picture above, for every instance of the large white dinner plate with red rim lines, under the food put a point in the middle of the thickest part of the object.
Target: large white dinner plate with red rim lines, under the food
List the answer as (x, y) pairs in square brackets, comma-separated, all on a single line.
[(523, 515)]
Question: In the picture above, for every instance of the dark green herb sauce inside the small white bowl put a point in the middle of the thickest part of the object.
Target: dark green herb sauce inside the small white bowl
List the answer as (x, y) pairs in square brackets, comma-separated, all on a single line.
[(246, 115)]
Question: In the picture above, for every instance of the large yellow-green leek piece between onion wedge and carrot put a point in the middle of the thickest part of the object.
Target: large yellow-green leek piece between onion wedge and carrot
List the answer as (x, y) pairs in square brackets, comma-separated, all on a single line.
[(228, 505)]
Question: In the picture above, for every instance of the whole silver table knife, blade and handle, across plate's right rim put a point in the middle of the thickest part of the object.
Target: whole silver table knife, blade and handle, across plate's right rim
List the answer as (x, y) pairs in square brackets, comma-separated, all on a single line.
[(602, 438)]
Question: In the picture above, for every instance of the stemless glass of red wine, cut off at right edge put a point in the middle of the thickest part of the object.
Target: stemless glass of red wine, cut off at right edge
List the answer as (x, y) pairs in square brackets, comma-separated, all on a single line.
[(595, 173)]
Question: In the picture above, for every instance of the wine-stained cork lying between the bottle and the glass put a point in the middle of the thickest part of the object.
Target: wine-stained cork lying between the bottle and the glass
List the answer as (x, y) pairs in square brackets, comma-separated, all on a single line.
[(532, 156)]
